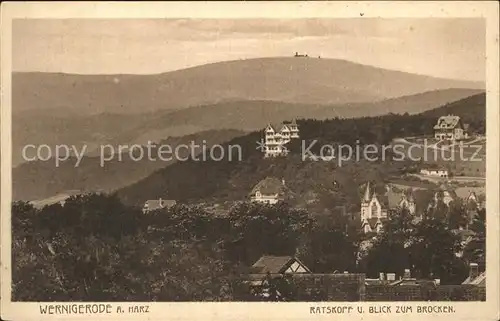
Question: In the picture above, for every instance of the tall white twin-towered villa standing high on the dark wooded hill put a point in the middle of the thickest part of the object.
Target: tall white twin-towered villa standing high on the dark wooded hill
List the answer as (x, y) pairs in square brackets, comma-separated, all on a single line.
[(277, 136)]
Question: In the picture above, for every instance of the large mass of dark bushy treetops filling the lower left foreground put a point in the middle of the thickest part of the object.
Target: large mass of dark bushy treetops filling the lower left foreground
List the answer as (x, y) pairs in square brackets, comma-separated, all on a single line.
[(94, 248)]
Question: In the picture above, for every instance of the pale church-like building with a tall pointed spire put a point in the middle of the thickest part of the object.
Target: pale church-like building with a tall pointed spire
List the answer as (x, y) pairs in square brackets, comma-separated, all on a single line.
[(373, 212)]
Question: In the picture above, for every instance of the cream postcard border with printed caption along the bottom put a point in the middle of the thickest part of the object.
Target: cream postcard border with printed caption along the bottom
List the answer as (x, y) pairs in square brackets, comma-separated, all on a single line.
[(270, 311)]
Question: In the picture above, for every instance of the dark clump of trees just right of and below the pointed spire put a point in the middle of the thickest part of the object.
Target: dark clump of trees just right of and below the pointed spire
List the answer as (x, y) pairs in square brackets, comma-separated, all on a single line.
[(428, 247)]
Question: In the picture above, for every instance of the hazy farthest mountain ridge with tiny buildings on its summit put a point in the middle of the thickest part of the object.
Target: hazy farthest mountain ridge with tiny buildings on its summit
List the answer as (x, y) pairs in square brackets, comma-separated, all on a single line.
[(285, 79)]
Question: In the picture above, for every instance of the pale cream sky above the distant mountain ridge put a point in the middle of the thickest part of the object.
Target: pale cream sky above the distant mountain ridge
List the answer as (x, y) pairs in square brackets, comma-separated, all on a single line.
[(441, 47)]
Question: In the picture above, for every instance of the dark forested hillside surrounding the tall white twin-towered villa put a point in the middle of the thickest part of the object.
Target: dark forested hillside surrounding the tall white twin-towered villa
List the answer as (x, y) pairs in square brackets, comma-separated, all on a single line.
[(233, 179)]
